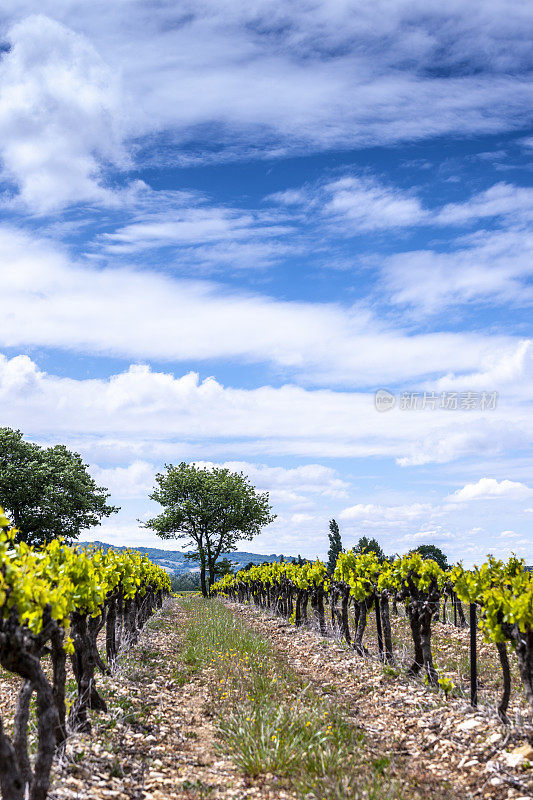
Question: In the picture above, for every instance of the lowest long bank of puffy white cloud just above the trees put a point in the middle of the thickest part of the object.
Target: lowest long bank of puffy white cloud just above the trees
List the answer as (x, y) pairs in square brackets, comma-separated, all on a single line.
[(153, 416)]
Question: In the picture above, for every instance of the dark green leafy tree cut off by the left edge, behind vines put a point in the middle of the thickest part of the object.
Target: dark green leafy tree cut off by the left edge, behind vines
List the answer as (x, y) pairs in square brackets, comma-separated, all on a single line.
[(47, 491)]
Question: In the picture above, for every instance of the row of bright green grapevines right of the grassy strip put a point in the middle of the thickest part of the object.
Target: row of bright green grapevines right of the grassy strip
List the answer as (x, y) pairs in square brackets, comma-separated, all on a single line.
[(501, 593)]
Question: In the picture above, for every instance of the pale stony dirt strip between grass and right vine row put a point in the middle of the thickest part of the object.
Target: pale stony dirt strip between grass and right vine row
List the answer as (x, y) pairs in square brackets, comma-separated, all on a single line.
[(431, 736)]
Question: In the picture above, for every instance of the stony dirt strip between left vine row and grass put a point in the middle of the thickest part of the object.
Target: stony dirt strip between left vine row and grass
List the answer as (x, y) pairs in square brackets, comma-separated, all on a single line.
[(157, 741)]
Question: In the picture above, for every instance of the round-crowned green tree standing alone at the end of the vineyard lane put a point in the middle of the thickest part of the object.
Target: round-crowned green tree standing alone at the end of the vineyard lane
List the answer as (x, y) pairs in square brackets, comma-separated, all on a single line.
[(212, 508)]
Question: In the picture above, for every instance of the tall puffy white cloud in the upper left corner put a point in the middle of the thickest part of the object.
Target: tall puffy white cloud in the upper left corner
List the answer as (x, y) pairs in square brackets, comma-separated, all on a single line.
[(58, 116)]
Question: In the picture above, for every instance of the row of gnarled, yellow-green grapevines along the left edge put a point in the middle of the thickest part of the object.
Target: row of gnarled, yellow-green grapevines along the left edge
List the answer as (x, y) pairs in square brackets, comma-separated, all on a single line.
[(54, 602)]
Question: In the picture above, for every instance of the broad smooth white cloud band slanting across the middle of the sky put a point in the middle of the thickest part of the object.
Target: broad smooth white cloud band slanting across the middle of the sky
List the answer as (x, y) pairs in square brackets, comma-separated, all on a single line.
[(67, 306)]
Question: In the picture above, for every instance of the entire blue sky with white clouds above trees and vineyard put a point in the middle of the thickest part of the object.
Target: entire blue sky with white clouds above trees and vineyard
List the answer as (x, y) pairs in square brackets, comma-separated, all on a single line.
[(225, 226)]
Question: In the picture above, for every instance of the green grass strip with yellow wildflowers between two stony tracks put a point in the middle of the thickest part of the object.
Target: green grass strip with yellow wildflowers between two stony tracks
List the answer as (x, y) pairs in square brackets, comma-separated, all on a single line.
[(269, 722)]
